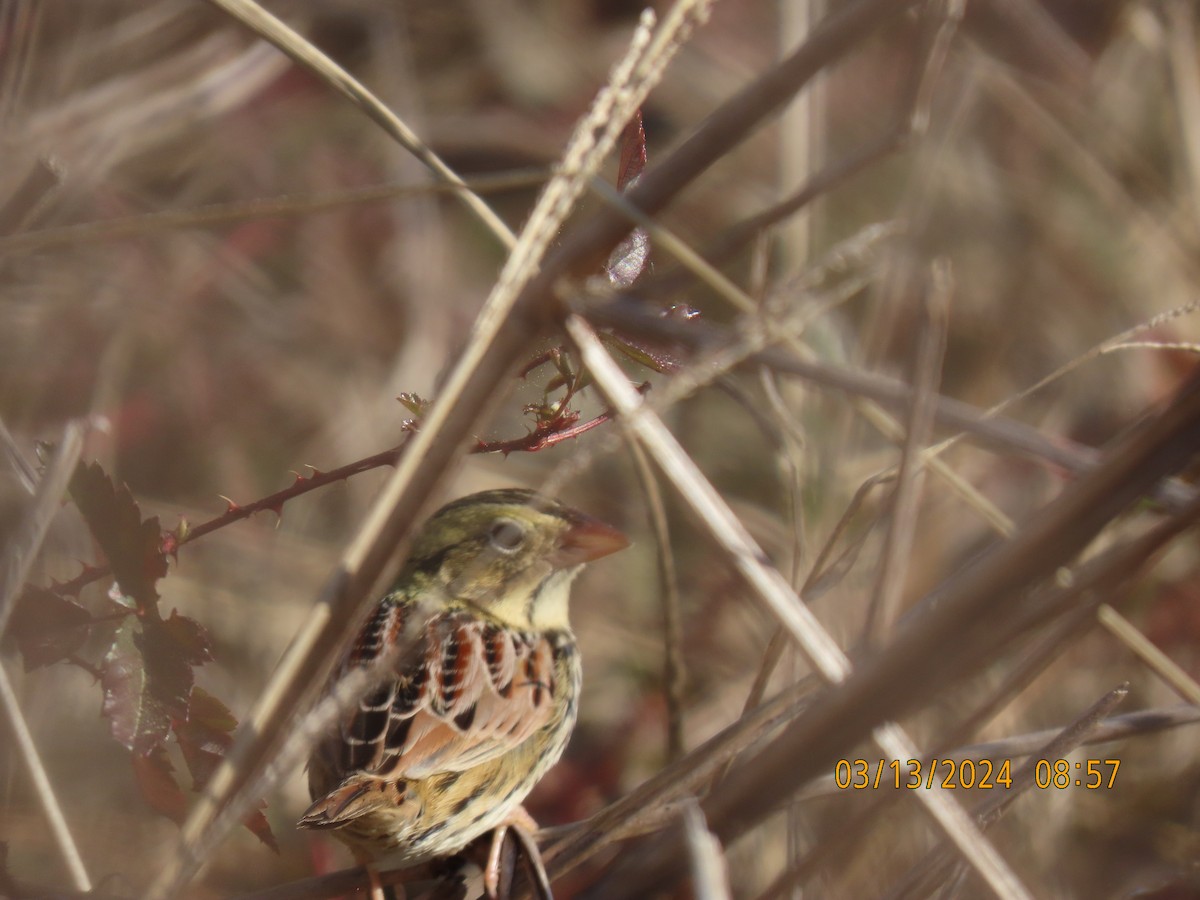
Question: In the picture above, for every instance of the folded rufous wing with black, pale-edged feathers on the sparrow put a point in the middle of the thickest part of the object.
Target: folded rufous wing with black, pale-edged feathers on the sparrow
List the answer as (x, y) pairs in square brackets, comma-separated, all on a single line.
[(470, 693)]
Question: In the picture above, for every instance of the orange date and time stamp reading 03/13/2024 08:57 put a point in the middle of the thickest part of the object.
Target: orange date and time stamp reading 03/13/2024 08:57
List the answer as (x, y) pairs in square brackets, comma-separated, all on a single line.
[(968, 775)]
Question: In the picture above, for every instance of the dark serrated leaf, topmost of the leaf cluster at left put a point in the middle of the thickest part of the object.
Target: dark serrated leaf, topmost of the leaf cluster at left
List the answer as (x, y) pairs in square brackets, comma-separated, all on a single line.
[(131, 547)]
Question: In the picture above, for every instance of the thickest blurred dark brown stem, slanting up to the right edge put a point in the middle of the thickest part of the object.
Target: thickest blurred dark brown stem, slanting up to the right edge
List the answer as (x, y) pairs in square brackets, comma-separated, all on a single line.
[(971, 605)]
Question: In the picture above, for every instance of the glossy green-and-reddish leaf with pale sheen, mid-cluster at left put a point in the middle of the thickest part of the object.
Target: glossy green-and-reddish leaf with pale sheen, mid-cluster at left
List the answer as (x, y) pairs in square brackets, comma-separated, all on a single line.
[(147, 683)]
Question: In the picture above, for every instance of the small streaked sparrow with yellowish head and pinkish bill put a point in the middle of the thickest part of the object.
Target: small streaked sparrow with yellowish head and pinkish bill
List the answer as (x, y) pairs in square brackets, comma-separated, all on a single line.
[(485, 698)]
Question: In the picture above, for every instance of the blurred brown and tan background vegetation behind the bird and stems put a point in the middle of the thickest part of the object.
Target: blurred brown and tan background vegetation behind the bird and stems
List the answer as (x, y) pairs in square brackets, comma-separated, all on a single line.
[(187, 256)]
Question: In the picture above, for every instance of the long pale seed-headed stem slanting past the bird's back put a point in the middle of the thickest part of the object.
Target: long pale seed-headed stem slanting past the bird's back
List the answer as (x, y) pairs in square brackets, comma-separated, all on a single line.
[(503, 328)]
